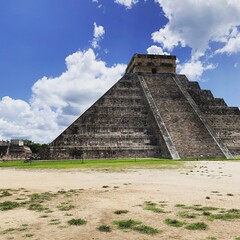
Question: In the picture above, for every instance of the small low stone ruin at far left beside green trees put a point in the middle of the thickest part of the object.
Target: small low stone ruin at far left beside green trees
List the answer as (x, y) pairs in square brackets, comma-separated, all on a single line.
[(14, 149)]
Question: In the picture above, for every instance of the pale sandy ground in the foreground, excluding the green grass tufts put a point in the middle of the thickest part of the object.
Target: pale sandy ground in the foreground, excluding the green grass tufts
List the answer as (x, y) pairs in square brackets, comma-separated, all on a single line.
[(96, 195)]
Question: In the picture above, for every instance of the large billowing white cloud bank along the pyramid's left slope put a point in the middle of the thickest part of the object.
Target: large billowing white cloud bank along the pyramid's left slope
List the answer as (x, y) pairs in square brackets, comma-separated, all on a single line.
[(57, 102)]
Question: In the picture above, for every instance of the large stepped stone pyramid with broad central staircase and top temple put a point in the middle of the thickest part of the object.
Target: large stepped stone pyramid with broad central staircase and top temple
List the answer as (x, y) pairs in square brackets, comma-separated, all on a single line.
[(152, 112)]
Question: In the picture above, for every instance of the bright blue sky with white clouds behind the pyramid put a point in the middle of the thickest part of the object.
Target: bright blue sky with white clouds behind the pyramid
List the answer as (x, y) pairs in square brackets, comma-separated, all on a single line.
[(57, 57)]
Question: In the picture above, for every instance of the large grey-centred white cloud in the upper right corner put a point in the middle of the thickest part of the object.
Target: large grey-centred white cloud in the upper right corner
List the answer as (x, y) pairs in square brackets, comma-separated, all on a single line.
[(197, 23)]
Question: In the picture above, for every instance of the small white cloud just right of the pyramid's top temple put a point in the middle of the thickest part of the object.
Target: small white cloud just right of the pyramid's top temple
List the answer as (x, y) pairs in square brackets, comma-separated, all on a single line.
[(194, 69)]
